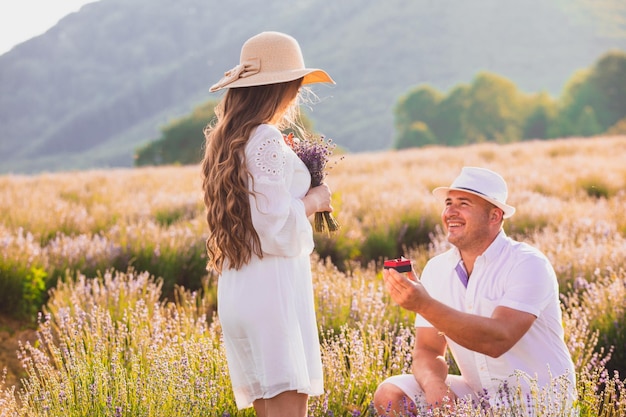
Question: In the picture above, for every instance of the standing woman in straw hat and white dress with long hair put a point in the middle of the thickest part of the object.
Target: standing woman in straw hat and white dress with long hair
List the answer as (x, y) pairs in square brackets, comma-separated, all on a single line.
[(258, 199)]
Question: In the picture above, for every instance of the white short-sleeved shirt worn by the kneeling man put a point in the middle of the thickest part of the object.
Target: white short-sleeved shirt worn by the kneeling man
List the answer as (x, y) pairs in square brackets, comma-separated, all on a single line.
[(510, 274)]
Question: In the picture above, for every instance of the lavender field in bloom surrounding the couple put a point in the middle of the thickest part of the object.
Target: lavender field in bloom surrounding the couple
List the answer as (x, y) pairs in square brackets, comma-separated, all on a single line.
[(112, 265)]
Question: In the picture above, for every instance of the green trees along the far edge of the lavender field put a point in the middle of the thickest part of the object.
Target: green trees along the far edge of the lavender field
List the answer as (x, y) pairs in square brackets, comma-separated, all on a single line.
[(490, 109)]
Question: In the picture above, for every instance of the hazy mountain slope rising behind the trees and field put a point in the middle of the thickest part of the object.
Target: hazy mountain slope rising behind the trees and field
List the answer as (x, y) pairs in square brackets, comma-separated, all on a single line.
[(103, 81)]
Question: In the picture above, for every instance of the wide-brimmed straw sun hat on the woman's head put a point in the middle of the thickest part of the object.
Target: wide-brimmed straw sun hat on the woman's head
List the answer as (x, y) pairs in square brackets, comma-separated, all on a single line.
[(270, 58)]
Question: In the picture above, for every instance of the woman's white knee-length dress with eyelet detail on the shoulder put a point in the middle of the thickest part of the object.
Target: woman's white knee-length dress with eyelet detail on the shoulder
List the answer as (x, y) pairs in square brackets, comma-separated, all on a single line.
[(266, 308)]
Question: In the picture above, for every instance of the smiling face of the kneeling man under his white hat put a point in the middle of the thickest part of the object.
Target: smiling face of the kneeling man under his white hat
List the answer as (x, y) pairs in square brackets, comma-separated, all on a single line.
[(466, 220)]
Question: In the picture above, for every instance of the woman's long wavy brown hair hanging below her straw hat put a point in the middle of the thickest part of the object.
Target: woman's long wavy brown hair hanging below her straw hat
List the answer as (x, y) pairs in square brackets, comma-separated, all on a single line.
[(232, 236)]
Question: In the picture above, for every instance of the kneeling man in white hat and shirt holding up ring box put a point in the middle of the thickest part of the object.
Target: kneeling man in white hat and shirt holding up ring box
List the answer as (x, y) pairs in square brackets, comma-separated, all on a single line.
[(492, 300)]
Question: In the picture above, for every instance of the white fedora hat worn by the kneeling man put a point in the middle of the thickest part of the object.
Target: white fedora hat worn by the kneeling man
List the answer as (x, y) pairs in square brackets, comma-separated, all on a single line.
[(482, 182)]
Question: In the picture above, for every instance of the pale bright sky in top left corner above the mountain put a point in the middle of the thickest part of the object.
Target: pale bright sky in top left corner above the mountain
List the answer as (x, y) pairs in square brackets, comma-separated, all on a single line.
[(21, 20)]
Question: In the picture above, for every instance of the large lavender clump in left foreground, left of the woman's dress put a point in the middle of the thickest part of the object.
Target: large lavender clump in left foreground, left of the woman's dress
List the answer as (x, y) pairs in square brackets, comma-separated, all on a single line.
[(108, 347)]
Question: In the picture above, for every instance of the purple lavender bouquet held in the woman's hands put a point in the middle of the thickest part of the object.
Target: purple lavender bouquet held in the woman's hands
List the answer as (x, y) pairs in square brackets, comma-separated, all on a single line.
[(315, 154)]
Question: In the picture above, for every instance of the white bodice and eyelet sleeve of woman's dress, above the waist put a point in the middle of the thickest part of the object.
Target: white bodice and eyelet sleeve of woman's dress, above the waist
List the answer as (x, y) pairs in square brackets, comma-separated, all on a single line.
[(278, 182)]
